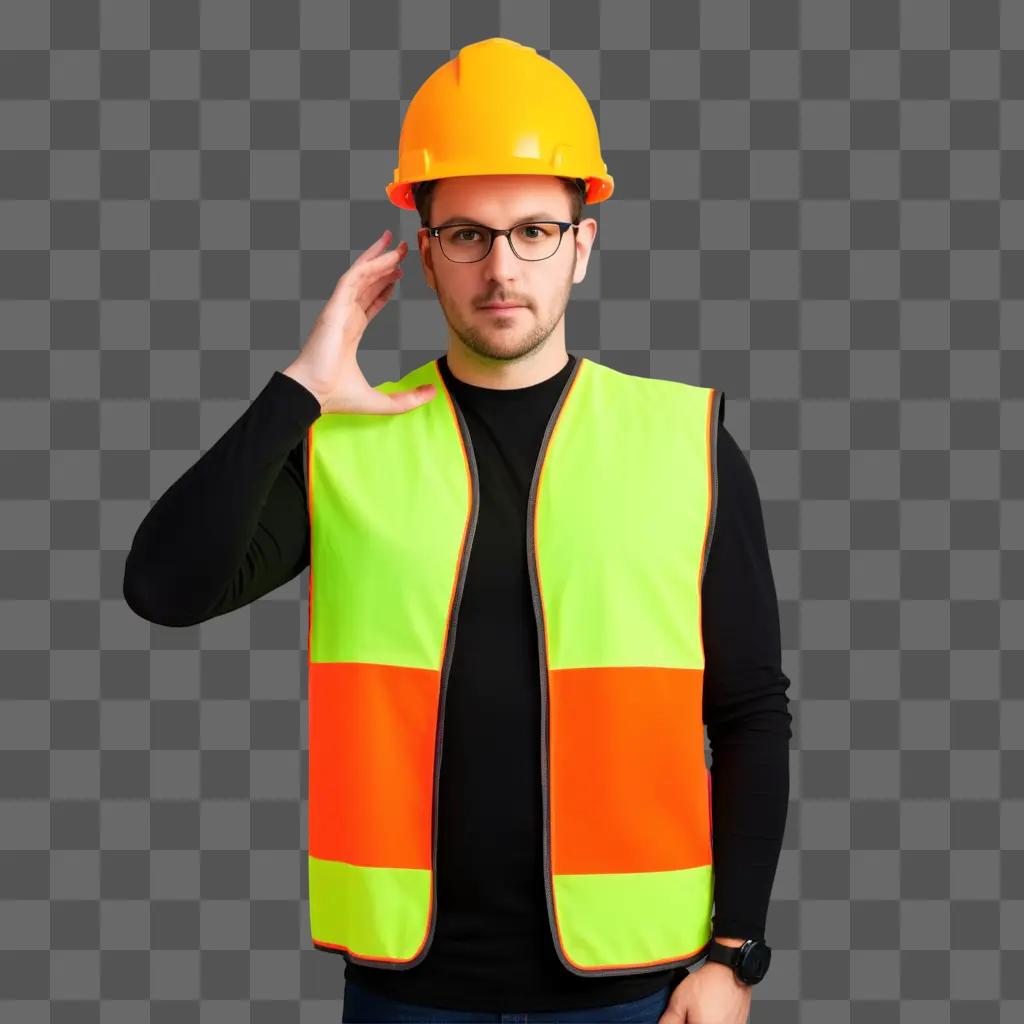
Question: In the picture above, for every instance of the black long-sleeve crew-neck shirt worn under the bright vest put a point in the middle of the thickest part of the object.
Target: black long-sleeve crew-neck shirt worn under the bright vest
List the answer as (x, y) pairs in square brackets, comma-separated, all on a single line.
[(235, 527)]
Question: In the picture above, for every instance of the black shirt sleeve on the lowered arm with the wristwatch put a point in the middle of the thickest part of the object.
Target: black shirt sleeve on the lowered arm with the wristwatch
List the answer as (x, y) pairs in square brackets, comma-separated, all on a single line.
[(745, 703)]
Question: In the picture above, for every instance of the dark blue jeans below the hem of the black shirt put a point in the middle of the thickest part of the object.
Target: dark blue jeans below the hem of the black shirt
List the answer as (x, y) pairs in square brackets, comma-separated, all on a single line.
[(362, 1005)]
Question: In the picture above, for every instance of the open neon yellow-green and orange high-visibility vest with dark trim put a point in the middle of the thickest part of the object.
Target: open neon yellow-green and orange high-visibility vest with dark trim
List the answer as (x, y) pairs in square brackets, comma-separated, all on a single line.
[(620, 522)]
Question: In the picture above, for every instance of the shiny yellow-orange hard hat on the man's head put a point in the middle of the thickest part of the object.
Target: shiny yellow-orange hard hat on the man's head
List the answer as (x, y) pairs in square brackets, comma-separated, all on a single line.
[(499, 108)]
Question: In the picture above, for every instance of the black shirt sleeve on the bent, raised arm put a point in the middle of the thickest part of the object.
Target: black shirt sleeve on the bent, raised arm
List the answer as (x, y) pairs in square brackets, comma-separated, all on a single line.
[(235, 527)]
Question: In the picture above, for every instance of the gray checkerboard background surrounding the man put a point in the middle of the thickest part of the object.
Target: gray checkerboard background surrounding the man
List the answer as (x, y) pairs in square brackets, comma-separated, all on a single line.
[(818, 208)]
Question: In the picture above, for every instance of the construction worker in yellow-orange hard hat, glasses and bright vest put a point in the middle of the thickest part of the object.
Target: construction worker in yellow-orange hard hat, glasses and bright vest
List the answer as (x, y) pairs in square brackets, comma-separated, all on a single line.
[(533, 581)]
